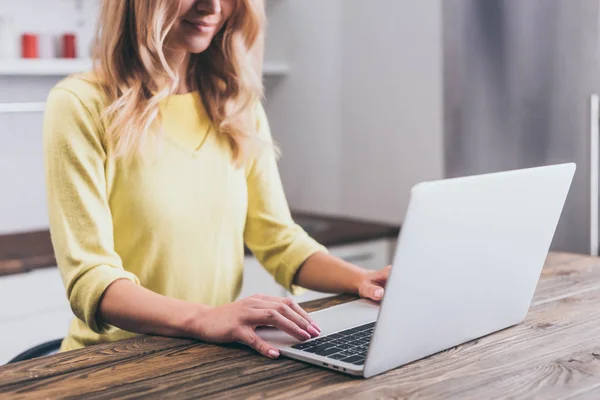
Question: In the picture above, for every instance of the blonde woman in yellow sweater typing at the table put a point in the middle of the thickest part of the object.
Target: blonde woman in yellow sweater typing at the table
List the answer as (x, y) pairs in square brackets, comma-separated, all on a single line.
[(160, 166)]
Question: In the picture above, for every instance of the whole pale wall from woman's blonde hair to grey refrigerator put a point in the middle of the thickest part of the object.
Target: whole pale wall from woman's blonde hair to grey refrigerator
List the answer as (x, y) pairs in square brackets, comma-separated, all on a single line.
[(359, 120)]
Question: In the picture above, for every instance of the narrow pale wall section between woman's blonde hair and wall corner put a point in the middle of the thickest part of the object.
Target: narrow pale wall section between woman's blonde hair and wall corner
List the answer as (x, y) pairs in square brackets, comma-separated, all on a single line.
[(304, 108)]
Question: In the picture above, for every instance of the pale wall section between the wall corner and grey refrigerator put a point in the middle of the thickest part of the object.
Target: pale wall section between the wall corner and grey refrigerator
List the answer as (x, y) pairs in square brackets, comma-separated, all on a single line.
[(392, 104)]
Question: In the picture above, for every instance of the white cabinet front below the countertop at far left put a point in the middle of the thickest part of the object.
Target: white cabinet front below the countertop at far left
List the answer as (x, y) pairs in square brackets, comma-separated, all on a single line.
[(33, 310)]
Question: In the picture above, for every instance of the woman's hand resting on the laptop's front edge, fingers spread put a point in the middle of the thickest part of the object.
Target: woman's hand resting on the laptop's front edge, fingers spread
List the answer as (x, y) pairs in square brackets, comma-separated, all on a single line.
[(236, 322)]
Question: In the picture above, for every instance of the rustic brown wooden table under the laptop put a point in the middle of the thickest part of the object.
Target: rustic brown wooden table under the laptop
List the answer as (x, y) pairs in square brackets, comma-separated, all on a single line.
[(554, 354)]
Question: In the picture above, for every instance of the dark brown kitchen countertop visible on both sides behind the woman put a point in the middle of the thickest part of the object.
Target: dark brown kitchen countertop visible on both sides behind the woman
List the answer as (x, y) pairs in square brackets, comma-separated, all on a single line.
[(32, 250)]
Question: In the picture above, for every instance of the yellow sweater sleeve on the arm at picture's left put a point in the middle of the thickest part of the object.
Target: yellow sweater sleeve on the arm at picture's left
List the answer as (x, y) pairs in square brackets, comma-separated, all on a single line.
[(79, 214)]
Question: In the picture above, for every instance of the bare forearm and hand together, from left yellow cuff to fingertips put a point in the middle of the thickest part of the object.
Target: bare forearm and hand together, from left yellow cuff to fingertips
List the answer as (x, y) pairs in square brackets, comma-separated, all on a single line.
[(136, 309)]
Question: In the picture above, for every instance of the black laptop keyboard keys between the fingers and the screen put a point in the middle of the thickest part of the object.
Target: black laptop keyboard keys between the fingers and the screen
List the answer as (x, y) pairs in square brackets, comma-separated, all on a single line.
[(350, 345)]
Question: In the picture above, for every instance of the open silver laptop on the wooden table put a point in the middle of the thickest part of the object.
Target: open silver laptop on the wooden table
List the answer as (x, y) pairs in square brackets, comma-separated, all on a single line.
[(467, 262)]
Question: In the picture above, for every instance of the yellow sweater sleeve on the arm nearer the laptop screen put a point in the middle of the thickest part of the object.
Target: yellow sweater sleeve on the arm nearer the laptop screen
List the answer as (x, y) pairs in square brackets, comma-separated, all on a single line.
[(278, 243)]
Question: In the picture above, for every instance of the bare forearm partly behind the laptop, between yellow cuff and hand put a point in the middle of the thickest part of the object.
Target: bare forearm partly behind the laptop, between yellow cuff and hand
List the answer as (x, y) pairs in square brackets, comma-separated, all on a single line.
[(325, 273)]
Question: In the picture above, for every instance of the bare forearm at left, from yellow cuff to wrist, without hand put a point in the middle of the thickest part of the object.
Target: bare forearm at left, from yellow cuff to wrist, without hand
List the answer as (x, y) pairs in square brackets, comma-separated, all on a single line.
[(137, 309)]
